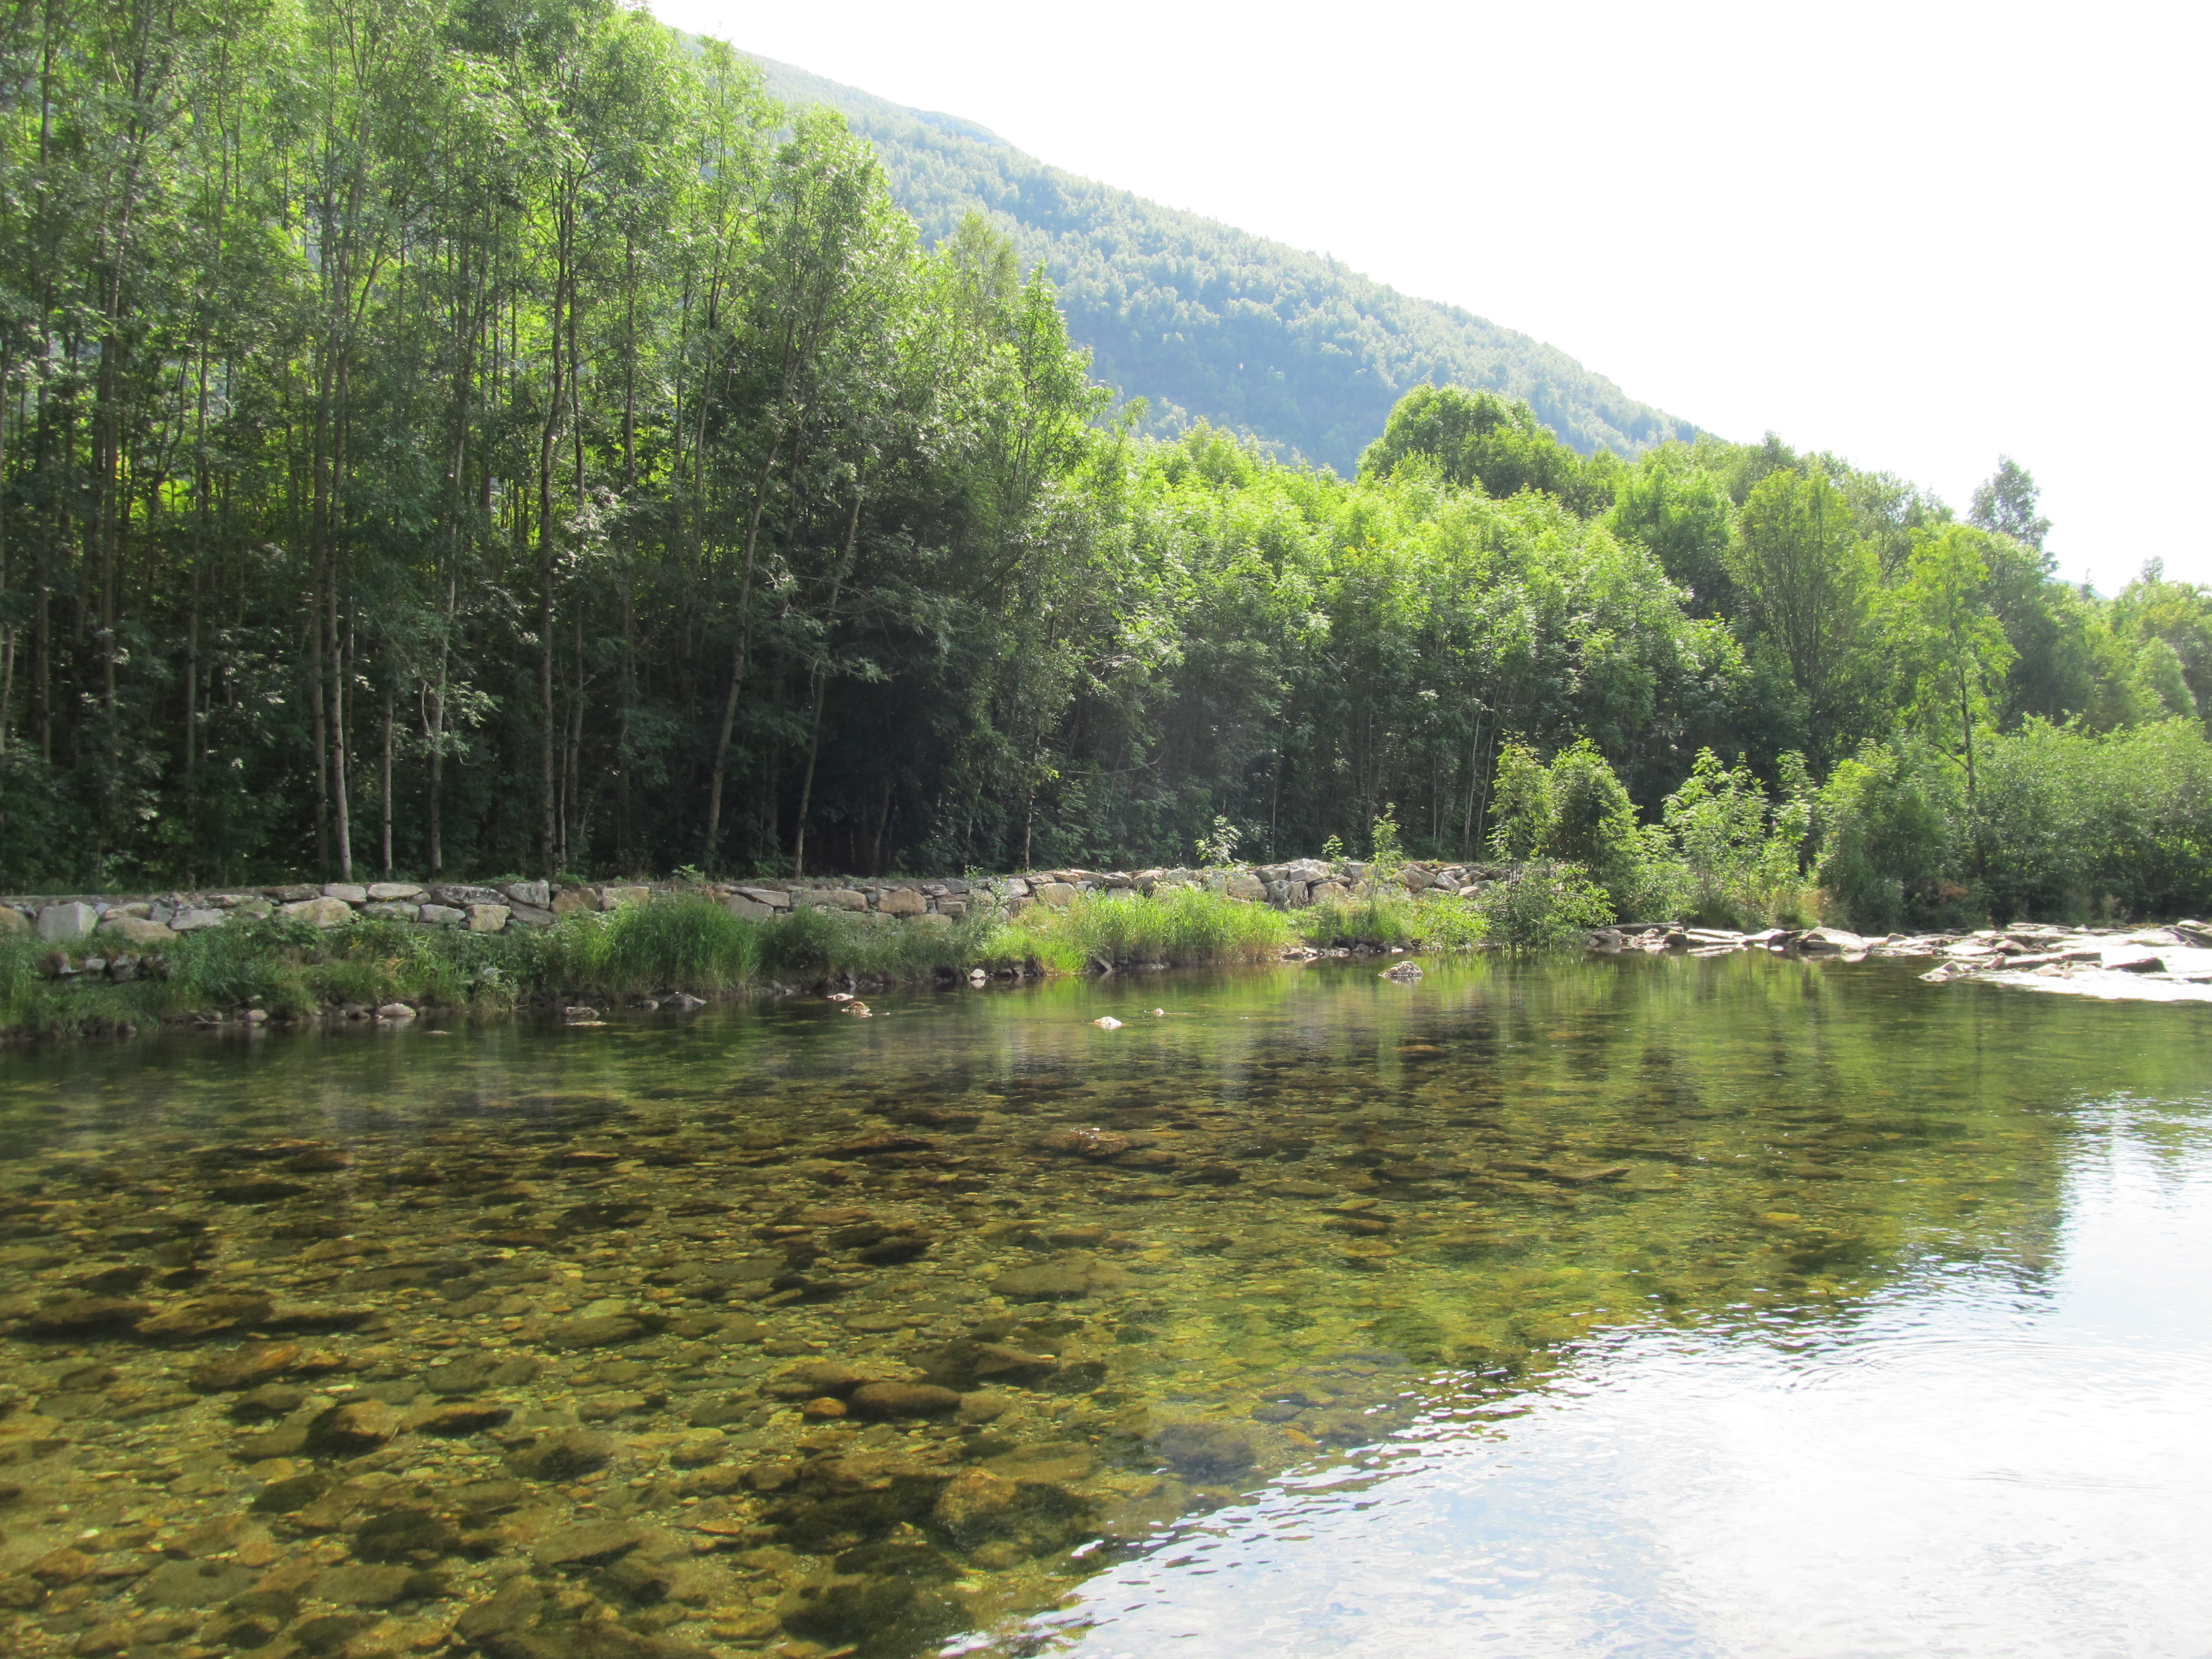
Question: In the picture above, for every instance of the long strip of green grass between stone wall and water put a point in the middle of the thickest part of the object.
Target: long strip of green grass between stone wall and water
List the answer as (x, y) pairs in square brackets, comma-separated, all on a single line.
[(682, 943)]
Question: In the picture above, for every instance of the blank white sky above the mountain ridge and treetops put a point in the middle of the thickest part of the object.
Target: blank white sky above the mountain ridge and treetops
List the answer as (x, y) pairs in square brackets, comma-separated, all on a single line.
[(1917, 236)]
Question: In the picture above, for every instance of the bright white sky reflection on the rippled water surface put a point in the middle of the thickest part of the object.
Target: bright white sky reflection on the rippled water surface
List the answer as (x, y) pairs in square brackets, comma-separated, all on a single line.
[(1963, 1468)]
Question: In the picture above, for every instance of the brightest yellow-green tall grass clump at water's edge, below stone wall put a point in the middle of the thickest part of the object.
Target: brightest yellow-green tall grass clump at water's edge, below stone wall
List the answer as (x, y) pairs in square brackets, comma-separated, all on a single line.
[(1178, 926)]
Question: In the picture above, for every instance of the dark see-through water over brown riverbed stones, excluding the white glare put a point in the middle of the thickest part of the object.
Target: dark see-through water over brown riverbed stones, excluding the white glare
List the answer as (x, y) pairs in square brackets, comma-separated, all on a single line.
[(791, 1331)]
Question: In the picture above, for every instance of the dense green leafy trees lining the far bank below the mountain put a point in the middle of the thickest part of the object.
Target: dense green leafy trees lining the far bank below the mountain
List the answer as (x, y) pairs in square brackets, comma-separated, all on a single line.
[(446, 437)]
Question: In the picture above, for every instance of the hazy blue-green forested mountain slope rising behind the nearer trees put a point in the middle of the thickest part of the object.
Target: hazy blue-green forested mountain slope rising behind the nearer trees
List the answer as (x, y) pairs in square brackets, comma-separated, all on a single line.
[(1215, 324)]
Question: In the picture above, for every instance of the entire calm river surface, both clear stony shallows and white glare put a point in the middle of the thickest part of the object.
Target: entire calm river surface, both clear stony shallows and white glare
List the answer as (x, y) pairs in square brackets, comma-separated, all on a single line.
[(1620, 1306)]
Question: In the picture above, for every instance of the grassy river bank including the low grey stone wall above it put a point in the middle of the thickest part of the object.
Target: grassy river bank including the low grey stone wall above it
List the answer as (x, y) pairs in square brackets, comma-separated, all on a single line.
[(90, 966)]
